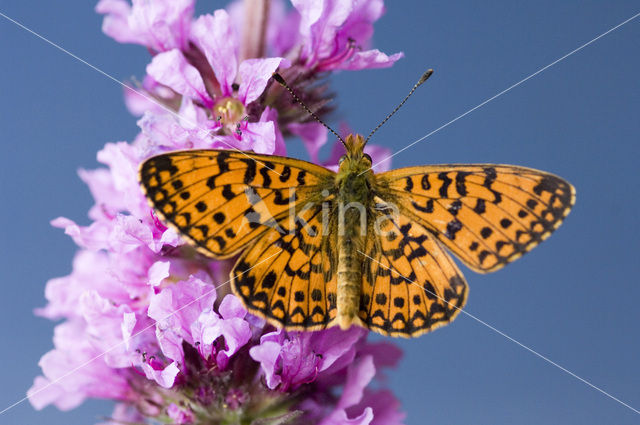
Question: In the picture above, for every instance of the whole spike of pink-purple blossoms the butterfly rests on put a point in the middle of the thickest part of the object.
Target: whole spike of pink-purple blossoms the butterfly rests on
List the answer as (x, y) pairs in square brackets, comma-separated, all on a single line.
[(146, 320)]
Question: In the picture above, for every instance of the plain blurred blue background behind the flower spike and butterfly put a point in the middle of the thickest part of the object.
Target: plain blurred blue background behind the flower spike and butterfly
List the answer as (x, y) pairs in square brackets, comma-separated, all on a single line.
[(574, 299)]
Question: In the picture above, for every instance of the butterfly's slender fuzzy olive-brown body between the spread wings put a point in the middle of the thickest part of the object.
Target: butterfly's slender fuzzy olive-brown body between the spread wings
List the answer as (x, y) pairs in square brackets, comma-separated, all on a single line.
[(354, 198)]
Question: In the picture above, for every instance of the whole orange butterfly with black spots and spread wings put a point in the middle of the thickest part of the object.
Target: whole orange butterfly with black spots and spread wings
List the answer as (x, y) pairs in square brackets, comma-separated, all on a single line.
[(318, 248)]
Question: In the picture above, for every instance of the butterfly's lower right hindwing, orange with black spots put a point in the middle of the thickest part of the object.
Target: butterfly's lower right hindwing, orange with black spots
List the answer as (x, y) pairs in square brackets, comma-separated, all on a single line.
[(410, 284)]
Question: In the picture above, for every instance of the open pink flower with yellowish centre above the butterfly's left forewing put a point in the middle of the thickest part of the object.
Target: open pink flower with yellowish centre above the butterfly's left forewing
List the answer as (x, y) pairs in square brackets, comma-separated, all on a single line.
[(211, 85)]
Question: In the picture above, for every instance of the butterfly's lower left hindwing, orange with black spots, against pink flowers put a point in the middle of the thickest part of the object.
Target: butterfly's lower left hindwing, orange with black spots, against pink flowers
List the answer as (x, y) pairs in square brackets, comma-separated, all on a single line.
[(287, 277)]
